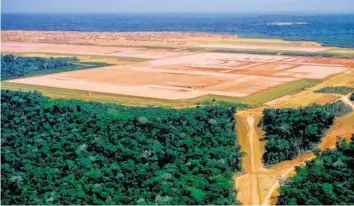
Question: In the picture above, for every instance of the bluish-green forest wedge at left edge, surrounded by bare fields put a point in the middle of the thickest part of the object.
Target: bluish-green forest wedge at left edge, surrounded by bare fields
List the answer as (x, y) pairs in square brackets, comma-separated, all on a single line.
[(13, 67)]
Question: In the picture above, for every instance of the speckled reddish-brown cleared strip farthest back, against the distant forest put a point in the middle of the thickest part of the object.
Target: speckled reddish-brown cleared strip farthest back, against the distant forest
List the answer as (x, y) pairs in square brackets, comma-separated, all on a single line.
[(148, 39)]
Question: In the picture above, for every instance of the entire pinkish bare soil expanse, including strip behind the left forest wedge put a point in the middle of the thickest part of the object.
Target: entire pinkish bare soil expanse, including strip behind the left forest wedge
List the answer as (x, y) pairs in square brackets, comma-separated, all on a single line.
[(176, 75)]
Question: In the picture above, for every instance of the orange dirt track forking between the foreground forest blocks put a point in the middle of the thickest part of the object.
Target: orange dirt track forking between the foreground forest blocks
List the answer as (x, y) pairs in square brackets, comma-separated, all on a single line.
[(258, 185)]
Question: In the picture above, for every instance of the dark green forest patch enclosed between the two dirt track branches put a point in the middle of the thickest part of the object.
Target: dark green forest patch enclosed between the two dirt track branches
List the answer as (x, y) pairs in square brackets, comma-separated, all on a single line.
[(291, 131)]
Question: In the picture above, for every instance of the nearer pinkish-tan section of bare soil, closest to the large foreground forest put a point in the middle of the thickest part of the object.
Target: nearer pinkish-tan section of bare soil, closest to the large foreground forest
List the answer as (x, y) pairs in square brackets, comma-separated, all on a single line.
[(161, 84)]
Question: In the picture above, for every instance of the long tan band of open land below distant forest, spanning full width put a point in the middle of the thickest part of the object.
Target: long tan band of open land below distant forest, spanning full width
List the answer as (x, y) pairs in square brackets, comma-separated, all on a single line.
[(175, 41)]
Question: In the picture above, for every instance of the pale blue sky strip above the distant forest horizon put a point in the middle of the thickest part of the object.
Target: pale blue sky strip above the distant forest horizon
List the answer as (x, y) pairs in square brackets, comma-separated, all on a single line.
[(233, 6)]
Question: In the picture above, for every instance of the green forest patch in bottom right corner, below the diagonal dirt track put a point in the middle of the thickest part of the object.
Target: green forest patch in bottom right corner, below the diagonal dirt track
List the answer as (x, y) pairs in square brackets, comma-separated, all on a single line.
[(326, 180)]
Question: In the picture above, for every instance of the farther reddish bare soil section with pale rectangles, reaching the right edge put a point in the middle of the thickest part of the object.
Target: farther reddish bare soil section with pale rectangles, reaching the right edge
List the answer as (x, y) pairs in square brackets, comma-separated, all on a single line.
[(266, 65)]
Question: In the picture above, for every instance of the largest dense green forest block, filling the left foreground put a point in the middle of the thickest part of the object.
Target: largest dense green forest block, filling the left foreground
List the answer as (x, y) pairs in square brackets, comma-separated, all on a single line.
[(74, 152)]
